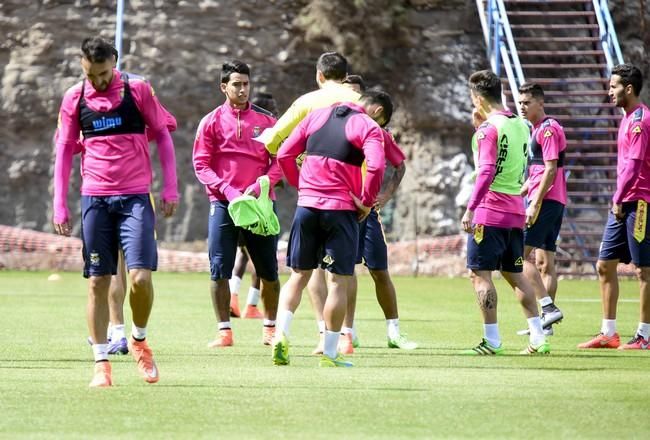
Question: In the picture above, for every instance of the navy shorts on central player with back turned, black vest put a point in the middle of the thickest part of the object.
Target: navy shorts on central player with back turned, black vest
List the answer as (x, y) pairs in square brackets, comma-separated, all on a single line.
[(328, 238)]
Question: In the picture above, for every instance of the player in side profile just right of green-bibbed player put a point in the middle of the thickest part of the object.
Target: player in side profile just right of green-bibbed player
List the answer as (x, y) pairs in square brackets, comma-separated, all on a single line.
[(546, 190)]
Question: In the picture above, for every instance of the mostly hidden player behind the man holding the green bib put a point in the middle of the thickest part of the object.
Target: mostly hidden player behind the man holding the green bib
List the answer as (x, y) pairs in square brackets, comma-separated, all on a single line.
[(251, 311)]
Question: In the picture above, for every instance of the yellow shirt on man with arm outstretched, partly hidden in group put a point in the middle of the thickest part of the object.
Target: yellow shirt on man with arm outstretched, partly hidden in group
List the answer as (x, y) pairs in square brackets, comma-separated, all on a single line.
[(330, 94)]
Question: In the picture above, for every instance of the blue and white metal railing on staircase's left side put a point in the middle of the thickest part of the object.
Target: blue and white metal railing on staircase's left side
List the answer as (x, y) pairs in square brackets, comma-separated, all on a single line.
[(501, 48)]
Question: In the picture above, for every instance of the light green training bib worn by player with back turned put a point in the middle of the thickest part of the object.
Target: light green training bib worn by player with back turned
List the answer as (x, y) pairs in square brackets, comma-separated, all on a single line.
[(512, 153)]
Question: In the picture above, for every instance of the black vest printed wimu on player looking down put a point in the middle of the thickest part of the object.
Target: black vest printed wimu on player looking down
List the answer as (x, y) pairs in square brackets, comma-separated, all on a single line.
[(124, 119)]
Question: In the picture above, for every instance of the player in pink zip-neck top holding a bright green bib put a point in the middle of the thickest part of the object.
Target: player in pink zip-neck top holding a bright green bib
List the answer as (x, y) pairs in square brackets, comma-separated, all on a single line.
[(228, 162)]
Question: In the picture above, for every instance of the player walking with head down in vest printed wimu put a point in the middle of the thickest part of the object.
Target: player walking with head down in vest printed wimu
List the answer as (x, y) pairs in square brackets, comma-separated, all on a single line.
[(112, 110)]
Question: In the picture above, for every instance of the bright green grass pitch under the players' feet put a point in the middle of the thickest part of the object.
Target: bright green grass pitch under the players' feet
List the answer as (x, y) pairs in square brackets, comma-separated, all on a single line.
[(432, 392)]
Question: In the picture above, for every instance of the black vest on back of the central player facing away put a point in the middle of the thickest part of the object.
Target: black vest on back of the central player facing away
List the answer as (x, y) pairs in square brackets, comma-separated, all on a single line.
[(330, 140)]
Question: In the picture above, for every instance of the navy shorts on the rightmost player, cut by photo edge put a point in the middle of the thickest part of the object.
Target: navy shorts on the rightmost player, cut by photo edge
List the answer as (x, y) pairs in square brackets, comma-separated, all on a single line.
[(619, 242)]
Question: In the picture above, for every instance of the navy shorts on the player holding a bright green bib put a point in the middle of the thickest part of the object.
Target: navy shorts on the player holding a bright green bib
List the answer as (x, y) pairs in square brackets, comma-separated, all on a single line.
[(223, 238)]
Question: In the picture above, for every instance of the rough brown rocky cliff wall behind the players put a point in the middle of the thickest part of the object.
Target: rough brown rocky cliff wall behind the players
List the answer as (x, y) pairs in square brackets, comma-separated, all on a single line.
[(420, 51)]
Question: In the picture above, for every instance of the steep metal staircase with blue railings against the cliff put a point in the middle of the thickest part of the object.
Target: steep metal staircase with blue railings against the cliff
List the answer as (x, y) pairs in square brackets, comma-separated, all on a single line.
[(568, 47)]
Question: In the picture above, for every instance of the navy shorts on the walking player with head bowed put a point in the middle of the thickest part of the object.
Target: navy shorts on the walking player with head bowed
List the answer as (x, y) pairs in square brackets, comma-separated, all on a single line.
[(111, 222)]
